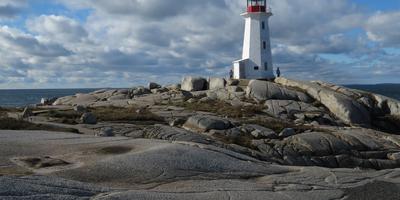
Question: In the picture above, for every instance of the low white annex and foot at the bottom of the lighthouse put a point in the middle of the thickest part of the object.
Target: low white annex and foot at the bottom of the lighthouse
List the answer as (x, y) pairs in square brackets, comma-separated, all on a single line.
[(247, 69)]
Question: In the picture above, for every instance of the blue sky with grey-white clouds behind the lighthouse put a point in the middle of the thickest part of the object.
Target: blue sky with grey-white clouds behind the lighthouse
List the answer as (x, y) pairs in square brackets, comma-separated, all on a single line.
[(123, 43)]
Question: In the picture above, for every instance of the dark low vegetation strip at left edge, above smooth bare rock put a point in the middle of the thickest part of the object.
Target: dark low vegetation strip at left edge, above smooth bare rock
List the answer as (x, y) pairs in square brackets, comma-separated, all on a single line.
[(14, 124)]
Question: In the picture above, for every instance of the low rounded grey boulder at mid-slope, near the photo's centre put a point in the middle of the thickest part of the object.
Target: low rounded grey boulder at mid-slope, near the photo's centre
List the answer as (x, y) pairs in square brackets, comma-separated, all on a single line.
[(206, 123)]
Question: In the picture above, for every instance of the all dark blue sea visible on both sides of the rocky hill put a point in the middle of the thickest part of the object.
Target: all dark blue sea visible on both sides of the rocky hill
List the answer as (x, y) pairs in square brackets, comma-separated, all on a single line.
[(21, 98)]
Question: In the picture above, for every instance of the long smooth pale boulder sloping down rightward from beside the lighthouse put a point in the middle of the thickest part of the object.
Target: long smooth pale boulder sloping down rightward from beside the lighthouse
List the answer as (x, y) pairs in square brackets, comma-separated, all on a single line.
[(343, 107)]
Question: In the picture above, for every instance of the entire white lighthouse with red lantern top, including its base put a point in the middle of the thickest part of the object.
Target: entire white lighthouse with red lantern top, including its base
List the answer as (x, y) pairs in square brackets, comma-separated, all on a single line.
[(256, 62)]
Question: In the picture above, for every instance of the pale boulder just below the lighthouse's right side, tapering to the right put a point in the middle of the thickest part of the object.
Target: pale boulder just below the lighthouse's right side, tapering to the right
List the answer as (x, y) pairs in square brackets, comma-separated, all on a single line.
[(264, 90)]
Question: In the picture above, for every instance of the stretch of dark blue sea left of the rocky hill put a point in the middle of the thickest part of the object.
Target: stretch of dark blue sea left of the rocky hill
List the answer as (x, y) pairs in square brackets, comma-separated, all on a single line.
[(20, 98)]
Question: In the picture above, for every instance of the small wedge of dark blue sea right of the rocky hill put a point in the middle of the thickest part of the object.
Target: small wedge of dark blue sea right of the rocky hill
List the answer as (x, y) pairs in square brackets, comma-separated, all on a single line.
[(389, 90)]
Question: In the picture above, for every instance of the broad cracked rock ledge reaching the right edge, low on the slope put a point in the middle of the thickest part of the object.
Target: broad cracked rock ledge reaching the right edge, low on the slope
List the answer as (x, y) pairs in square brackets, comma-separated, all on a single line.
[(337, 149)]
